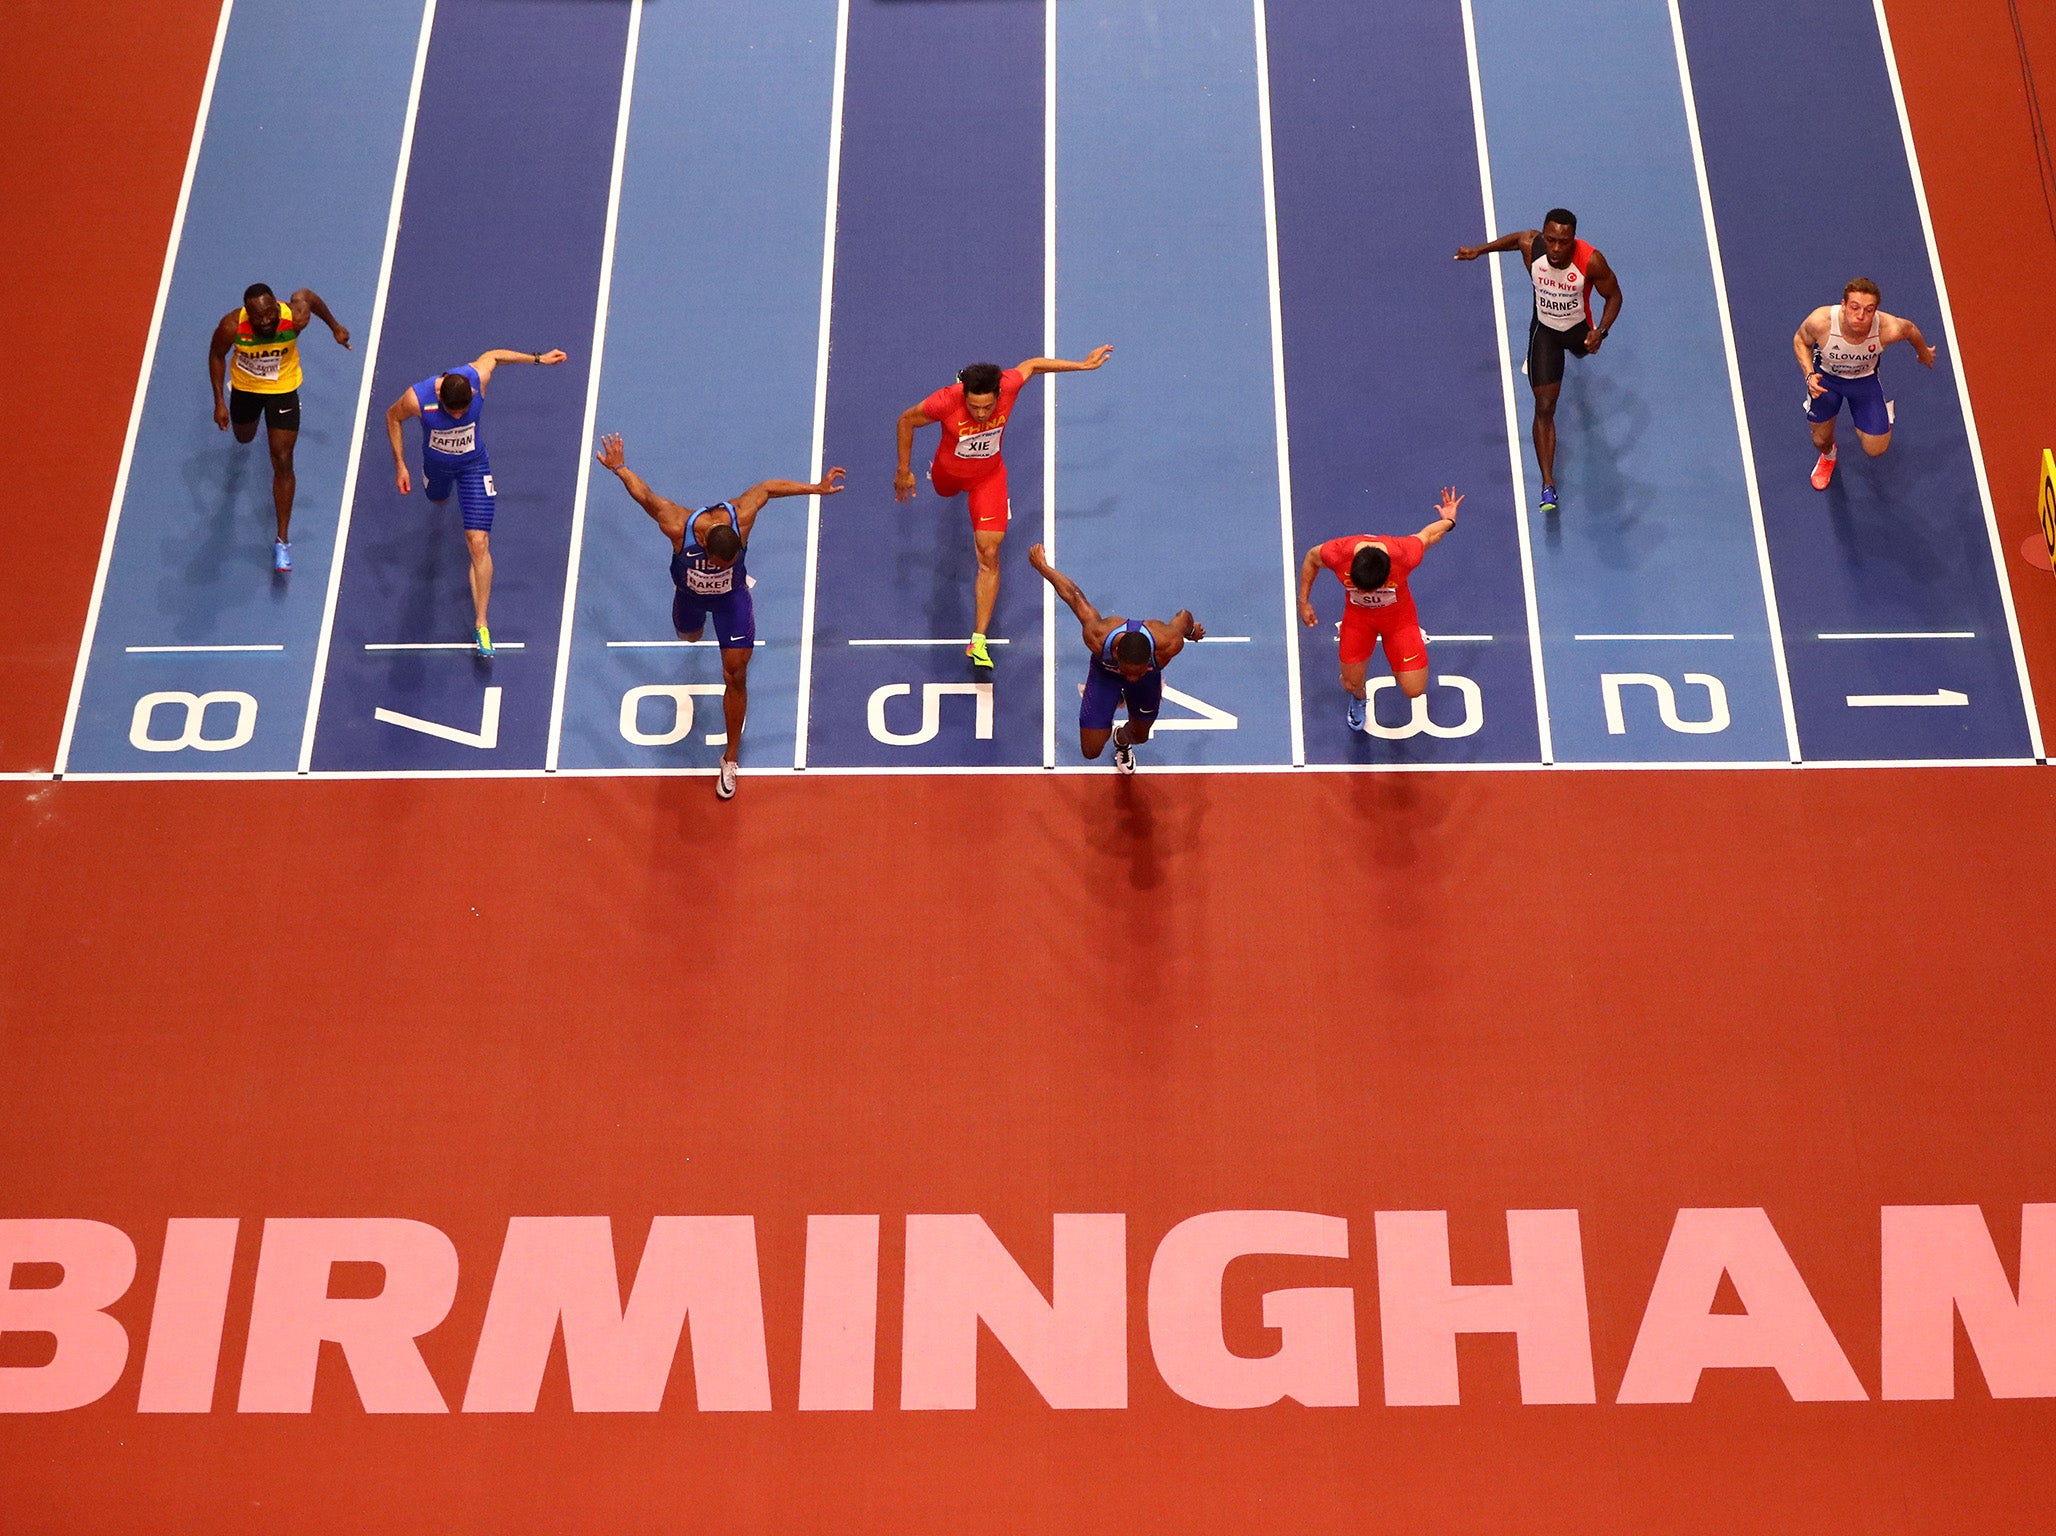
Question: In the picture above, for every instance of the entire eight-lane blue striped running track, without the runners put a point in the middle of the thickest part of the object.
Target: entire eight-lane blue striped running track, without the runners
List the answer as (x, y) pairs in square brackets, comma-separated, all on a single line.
[(1693, 604)]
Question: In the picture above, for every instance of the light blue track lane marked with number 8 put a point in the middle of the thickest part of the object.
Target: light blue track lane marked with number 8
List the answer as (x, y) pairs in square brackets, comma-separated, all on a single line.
[(293, 188)]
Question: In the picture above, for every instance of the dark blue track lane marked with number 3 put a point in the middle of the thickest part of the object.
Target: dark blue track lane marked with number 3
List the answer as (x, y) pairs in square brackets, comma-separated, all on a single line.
[(1393, 371)]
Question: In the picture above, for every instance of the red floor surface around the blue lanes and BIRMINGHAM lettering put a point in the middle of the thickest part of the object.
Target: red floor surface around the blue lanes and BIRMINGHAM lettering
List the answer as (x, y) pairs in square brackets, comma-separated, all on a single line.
[(462, 1002)]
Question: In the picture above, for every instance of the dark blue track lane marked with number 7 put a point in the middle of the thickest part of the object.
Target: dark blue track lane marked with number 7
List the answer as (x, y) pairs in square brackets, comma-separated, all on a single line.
[(501, 248)]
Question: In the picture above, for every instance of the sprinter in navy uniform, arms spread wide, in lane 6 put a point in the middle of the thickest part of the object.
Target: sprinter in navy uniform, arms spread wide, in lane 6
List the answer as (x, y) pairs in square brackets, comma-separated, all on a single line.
[(710, 581)]
